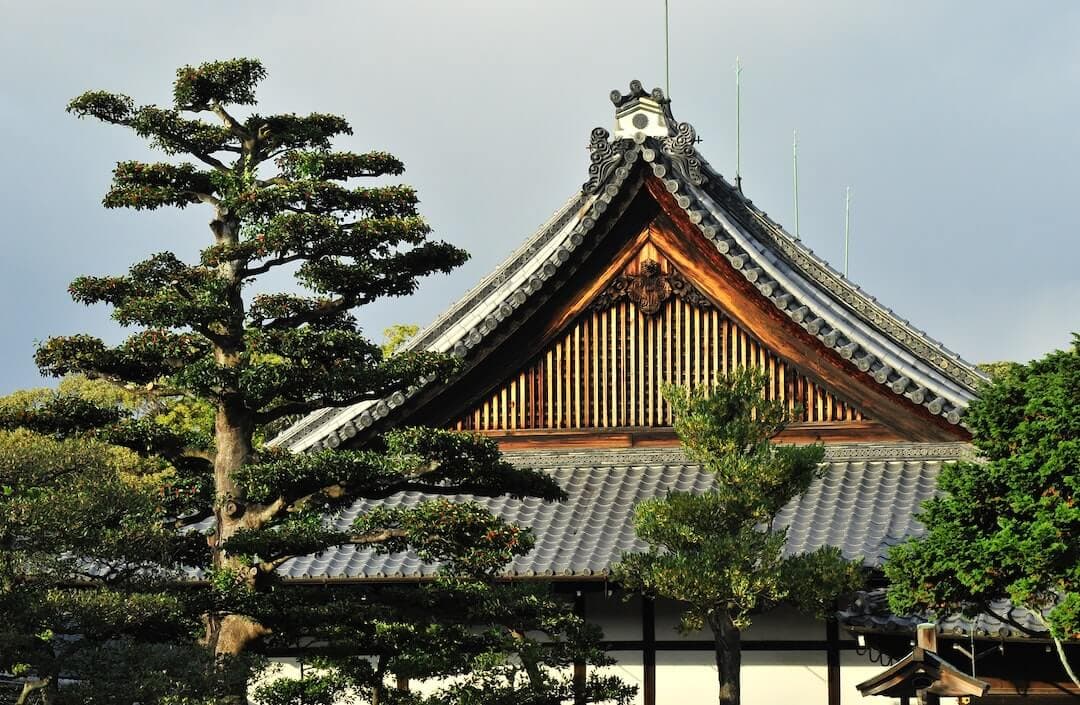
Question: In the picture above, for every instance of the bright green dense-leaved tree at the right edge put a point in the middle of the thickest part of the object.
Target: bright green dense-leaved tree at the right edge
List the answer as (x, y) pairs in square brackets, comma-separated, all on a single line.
[(1009, 525)]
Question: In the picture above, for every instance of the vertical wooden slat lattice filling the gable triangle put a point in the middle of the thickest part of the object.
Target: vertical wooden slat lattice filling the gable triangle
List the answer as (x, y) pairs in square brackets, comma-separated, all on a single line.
[(607, 370)]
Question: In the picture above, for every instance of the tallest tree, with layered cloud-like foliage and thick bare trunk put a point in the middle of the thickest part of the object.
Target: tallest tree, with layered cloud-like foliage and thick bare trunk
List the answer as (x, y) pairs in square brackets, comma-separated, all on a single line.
[(280, 197)]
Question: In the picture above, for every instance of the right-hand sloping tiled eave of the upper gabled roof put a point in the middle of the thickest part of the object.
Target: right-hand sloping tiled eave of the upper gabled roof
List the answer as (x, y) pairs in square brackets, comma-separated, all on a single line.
[(856, 327)]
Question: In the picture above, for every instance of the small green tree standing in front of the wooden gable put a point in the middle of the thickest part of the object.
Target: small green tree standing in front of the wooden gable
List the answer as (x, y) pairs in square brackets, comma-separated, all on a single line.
[(720, 552)]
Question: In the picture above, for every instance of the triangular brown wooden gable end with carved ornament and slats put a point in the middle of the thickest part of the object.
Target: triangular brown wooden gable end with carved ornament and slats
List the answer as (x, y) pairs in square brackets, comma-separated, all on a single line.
[(593, 372)]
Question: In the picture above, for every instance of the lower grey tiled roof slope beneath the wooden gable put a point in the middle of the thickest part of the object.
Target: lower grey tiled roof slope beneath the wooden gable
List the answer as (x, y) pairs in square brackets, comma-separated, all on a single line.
[(865, 505)]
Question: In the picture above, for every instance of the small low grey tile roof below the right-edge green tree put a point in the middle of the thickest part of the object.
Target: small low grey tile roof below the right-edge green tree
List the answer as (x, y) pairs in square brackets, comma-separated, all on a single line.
[(870, 613)]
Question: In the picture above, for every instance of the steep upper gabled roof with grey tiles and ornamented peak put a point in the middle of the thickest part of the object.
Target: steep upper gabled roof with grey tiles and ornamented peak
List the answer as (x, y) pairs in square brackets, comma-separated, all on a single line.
[(846, 320)]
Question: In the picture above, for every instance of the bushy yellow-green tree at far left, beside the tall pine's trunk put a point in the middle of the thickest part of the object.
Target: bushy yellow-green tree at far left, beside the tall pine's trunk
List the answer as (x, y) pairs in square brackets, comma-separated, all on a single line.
[(83, 565)]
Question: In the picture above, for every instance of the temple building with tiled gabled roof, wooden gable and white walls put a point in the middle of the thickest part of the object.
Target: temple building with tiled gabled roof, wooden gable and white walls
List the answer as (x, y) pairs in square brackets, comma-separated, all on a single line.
[(659, 270)]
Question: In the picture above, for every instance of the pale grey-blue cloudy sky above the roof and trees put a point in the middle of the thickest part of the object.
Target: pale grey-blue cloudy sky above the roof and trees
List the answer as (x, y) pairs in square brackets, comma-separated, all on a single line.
[(953, 123)]
